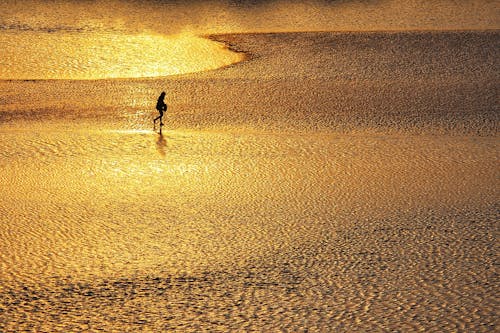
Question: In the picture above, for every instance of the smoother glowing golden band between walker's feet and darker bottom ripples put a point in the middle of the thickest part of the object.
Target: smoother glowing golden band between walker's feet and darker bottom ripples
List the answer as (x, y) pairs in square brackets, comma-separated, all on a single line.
[(133, 201)]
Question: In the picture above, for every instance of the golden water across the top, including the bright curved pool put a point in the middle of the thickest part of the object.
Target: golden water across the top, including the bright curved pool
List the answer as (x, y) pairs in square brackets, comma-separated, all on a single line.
[(67, 39)]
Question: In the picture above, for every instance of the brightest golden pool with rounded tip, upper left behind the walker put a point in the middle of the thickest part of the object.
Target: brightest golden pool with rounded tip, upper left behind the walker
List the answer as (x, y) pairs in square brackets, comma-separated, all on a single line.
[(108, 55)]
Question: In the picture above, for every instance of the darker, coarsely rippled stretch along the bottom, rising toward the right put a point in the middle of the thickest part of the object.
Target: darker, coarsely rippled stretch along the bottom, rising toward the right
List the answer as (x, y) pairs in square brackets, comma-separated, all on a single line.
[(374, 279)]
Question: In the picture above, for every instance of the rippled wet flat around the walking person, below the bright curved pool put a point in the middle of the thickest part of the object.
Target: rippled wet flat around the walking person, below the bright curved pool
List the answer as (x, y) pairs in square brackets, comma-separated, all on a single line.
[(333, 182)]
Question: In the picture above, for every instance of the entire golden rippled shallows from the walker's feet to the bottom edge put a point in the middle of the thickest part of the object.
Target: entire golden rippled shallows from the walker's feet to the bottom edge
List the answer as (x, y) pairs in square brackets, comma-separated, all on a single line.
[(208, 230)]
